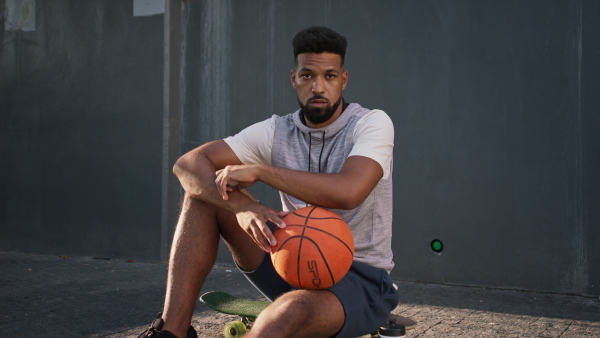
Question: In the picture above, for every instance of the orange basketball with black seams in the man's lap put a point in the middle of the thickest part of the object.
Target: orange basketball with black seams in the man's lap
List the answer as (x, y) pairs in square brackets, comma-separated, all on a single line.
[(314, 250)]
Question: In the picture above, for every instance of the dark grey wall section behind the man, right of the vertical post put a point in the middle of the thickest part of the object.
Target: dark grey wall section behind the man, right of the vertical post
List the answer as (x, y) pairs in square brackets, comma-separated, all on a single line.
[(495, 115)]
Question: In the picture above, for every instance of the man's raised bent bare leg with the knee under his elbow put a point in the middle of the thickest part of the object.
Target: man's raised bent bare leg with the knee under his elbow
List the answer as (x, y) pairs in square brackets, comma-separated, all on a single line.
[(193, 254)]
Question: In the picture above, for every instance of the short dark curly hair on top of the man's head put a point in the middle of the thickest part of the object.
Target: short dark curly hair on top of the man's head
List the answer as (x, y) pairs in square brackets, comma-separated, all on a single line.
[(319, 39)]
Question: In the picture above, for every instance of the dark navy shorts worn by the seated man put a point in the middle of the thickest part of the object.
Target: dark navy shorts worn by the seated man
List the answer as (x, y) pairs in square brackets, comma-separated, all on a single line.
[(367, 294)]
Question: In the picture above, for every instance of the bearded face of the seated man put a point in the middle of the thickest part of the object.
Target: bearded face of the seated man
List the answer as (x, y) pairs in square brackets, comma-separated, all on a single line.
[(319, 80)]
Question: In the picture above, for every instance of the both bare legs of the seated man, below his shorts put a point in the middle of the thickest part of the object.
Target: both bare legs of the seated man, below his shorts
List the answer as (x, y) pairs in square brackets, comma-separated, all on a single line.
[(193, 254)]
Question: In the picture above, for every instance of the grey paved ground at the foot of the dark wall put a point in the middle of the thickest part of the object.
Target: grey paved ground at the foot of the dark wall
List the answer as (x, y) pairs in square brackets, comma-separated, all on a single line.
[(52, 296)]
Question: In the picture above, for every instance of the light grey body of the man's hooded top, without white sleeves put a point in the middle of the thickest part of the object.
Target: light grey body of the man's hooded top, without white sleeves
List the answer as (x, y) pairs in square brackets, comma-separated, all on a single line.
[(324, 150)]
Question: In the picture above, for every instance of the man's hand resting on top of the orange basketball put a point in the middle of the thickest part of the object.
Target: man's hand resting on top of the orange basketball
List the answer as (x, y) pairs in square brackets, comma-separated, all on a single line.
[(253, 220)]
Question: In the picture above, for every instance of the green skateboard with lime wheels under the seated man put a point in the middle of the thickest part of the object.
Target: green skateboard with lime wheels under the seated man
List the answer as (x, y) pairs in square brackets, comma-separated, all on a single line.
[(248, 310)]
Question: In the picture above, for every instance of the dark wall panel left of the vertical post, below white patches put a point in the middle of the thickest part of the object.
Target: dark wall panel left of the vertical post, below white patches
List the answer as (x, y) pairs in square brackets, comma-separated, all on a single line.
[(81, 102)]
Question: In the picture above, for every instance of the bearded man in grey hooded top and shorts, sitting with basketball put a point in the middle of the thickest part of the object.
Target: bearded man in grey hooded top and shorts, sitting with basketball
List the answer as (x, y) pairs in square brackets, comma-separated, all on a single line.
[(329, 154)]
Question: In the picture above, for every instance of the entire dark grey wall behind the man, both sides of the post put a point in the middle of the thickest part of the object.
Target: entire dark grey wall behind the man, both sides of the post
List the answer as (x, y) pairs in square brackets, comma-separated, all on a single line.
[(497, 144)]
